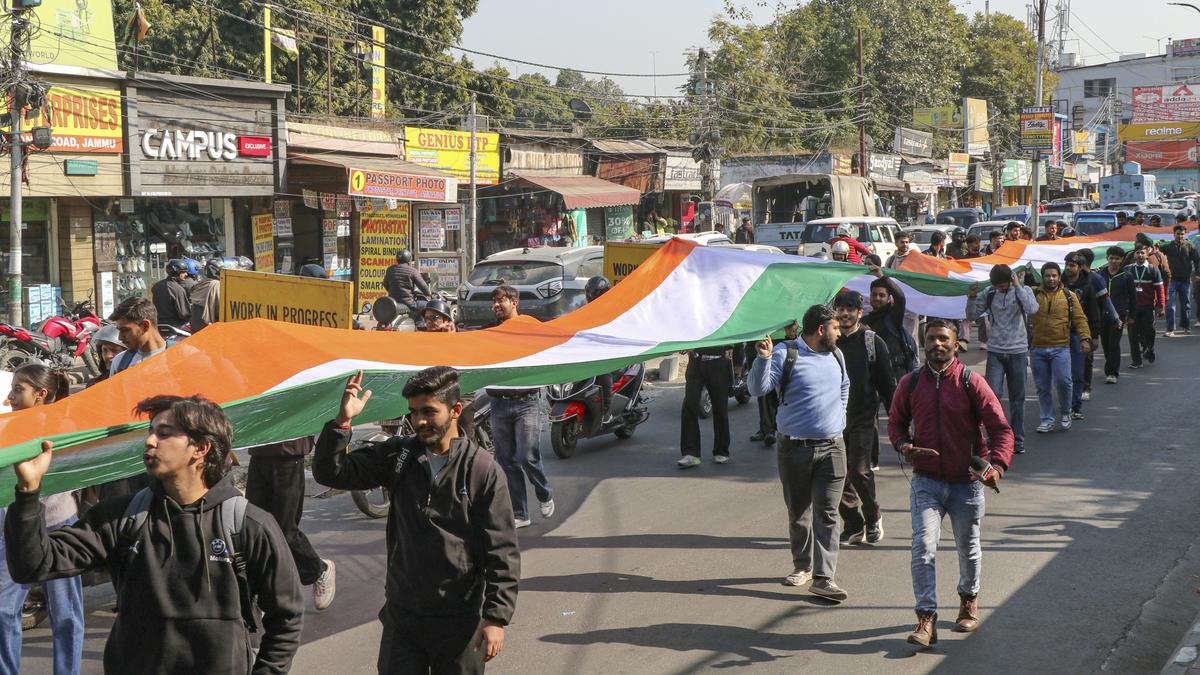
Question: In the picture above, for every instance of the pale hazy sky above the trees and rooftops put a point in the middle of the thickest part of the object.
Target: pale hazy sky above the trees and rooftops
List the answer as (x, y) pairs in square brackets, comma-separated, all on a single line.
[(621, 35)]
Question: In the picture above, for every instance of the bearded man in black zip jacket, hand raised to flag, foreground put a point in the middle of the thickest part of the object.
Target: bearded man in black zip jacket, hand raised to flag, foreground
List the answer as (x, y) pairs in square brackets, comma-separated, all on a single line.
[(453, 558)]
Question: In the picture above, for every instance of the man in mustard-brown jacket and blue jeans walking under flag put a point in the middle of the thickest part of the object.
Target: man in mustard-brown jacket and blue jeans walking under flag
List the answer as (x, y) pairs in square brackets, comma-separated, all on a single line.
[(1059, 314)]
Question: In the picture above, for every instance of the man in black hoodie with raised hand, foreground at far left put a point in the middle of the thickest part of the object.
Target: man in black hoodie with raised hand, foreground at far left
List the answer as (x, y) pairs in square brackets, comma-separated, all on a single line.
[(177, 586)]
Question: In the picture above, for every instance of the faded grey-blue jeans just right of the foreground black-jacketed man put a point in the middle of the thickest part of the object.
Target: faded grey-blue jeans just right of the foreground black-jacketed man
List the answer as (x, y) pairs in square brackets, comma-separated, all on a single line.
[(517, 432)]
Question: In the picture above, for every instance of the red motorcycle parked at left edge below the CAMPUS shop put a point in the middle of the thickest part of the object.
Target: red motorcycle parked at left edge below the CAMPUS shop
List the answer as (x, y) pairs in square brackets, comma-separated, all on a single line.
[(58, 341)]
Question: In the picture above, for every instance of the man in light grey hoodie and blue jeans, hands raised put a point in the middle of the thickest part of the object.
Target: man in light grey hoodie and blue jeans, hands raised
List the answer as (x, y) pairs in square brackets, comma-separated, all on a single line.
[(1009, 307)]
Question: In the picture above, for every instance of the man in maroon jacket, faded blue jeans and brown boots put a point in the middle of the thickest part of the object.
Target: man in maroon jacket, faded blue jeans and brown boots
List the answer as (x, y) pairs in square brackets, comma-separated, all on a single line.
[(935, 423)]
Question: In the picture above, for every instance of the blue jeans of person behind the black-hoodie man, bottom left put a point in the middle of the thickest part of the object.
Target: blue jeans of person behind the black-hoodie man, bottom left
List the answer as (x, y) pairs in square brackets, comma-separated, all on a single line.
[(64, 601)]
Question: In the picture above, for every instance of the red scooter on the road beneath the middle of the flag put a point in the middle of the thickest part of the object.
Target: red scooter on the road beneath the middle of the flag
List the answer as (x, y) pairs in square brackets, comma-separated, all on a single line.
[(577, 413)]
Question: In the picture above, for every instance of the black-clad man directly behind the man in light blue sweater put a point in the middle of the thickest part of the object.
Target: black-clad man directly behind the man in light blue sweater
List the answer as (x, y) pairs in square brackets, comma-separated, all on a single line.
[(869, 368)]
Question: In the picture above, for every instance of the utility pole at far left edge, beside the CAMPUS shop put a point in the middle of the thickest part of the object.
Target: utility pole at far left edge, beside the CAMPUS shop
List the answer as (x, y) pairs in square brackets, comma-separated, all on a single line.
[(16, 110)]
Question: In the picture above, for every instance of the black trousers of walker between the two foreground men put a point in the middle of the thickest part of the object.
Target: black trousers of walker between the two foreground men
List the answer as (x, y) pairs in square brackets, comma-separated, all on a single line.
[(275, 485)]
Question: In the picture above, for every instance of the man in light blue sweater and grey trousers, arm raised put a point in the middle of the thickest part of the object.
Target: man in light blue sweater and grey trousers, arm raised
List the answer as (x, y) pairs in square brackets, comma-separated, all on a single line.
[(812, 452)]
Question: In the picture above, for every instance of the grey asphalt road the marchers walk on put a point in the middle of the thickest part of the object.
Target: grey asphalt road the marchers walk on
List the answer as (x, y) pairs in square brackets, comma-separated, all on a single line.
[(1090, 559)]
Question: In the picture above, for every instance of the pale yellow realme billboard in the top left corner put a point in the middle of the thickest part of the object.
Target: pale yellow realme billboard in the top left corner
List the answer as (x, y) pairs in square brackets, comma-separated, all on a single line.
[(75, 33)]
